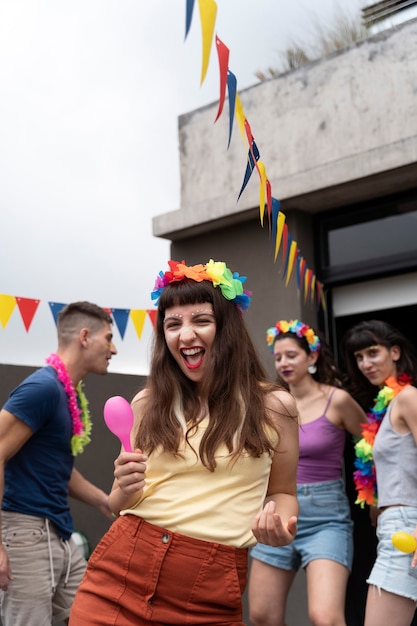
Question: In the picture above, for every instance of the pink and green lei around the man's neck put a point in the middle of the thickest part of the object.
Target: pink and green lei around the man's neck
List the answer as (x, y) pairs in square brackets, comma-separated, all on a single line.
[(77, 404)]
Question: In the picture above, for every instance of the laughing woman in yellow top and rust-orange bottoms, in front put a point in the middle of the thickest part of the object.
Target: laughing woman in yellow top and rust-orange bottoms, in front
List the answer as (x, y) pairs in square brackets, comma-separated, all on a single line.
[(212, 471)]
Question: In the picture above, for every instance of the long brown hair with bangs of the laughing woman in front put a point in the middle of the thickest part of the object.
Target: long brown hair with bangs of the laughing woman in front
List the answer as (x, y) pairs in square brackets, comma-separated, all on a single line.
[(234, 389)]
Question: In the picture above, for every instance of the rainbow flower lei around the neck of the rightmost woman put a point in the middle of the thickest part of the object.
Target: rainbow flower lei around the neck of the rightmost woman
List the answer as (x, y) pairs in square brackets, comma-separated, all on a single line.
[(365, 476)]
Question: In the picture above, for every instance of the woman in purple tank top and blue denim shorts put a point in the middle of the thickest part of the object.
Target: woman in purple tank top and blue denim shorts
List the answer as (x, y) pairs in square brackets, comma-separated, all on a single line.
[(324, 542)]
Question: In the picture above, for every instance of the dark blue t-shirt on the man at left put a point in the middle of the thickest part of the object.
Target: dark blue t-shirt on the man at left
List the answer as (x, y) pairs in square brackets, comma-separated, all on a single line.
[(36, 477)]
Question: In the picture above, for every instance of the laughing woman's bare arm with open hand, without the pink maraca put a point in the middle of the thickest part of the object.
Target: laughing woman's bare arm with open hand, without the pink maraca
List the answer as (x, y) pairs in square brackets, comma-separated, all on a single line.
[(276, 524)]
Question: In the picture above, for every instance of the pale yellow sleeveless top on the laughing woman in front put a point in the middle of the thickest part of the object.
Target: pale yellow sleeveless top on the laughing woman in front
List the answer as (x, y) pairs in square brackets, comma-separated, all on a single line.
[(185, 497)]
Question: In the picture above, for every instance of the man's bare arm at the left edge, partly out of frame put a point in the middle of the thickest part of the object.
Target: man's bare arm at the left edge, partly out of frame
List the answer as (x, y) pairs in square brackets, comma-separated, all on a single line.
[(13, 435)]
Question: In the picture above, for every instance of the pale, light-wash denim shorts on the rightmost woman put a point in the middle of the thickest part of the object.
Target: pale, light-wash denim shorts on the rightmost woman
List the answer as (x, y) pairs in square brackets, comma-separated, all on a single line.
[(392, 571)]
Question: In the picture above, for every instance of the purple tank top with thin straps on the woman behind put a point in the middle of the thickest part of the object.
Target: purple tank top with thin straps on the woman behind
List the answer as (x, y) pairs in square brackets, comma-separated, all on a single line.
[(321, 450)]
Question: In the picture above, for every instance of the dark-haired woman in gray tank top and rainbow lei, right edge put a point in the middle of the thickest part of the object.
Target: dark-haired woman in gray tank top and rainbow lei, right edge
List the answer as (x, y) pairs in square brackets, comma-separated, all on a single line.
[(382, 366)]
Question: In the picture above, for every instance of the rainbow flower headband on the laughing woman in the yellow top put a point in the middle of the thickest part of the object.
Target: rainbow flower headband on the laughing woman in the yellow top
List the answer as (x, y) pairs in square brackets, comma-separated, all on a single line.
[(231, 284)]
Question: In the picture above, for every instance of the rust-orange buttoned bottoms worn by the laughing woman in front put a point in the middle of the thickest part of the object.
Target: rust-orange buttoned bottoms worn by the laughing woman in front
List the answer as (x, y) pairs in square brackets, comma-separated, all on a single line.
[(145, 575)]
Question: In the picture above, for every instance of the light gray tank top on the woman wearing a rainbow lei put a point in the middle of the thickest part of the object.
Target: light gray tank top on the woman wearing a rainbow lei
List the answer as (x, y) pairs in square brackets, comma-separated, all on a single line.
[(395, 458)]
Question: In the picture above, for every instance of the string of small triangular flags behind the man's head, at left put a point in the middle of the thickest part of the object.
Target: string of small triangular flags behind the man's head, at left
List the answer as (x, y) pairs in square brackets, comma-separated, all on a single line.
[(28, 307)]
